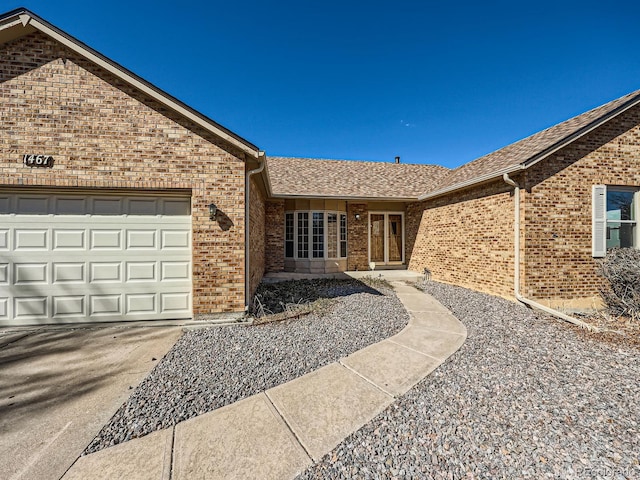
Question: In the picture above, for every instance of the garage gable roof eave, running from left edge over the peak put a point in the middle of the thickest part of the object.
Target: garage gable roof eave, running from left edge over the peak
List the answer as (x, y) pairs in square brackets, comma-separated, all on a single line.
[(28, 19)]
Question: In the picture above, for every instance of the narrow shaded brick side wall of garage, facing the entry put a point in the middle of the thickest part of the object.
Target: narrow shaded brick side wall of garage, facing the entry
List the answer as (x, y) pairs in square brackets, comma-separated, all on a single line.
[(256, 236)]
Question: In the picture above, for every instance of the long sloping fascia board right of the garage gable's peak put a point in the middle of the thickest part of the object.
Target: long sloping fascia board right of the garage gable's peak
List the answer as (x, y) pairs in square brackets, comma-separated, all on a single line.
[(140, 85)]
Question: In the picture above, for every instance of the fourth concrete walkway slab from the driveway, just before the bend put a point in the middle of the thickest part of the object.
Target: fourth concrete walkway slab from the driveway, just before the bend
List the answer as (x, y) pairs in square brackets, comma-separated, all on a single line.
[(391, 366)]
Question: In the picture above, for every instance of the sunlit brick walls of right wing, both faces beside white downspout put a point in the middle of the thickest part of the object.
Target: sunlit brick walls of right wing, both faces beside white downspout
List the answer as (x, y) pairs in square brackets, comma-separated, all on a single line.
[(466, 238)]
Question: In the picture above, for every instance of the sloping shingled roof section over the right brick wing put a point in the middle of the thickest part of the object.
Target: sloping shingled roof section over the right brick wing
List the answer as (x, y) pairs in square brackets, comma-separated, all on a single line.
[(522, 152)]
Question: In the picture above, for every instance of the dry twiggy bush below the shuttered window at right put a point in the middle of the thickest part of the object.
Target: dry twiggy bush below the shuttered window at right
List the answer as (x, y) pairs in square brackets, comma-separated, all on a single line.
[(621, 270)]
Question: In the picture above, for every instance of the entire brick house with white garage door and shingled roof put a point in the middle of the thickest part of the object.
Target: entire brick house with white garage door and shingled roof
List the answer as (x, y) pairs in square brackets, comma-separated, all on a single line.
[(119, 202)]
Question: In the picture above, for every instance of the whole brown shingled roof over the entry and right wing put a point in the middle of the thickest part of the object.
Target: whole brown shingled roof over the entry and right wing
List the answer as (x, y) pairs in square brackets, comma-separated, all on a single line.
[(343, 178)]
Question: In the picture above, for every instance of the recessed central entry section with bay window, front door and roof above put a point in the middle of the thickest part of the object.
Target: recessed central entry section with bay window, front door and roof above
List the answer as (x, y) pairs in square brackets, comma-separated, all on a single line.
[(328, 216)]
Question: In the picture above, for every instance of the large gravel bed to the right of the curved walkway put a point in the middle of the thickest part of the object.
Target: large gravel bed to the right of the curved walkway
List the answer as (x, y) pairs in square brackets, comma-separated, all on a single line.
[(526, 396)]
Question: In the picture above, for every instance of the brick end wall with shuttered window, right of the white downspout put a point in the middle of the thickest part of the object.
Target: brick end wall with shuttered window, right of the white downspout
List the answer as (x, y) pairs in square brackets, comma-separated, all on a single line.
[(557, 219)]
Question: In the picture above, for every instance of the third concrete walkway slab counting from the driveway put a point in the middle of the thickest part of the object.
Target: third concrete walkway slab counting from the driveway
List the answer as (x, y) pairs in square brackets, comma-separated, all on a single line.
[(326, 405)]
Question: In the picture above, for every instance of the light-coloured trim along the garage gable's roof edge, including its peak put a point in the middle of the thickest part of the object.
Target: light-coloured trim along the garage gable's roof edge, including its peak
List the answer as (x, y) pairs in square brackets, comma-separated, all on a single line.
[(131, 79)]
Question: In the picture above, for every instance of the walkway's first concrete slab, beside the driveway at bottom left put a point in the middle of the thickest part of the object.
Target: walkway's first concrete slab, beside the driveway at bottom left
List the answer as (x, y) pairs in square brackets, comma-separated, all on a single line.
[(146, 458)]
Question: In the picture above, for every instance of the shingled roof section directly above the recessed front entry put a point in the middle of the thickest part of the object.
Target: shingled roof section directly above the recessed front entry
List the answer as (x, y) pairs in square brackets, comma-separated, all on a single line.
[(350, 179)]
